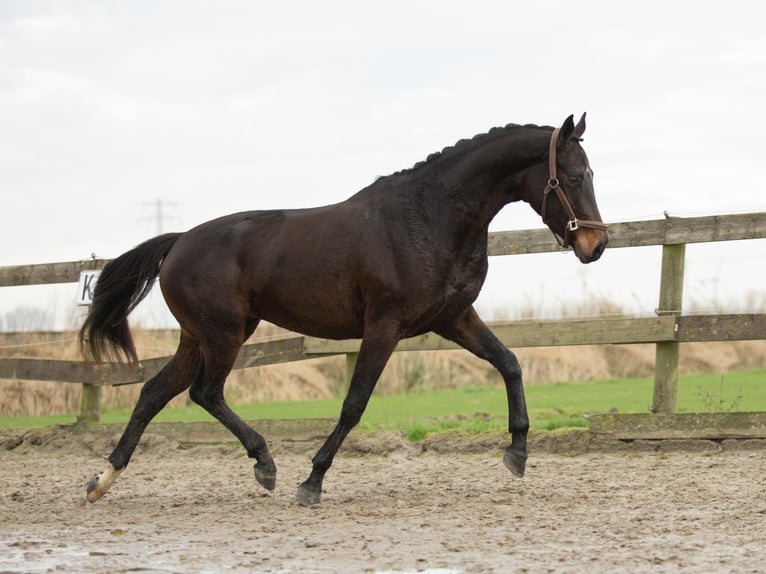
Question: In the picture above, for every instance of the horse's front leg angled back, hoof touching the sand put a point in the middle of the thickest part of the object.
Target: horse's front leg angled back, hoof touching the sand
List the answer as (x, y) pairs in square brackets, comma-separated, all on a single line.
[(378, 343)]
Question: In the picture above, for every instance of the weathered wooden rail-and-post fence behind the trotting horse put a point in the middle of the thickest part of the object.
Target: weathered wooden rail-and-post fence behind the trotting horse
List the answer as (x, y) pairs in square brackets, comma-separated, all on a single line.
[(668, 330)]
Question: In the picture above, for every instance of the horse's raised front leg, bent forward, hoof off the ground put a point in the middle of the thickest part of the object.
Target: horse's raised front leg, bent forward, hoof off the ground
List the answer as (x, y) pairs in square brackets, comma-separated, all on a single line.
[(471, 333)]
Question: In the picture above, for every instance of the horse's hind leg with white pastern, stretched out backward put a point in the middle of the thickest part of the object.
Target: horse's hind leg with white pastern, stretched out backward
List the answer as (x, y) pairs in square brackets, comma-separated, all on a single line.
[(174, 378)]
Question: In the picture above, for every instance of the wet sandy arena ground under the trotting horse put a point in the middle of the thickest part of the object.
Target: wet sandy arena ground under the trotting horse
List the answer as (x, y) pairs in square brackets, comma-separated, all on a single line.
[(175, 509)]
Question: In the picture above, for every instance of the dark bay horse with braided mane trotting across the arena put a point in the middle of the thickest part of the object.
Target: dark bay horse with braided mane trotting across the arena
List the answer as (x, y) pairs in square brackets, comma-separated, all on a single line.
[(404, 256)]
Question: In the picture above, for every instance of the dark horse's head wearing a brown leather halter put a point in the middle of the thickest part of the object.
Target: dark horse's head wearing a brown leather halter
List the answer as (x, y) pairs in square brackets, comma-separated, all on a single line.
[(562, 193)]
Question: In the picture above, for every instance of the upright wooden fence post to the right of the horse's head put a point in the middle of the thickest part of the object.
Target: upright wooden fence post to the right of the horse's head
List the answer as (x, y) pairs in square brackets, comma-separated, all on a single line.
[(667, 352)]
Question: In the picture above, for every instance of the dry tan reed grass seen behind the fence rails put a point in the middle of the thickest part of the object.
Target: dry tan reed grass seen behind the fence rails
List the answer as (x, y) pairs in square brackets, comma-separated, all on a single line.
[(322, 378)]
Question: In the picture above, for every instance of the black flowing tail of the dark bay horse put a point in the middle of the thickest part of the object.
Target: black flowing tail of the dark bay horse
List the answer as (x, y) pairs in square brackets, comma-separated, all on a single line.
[(122, 285)]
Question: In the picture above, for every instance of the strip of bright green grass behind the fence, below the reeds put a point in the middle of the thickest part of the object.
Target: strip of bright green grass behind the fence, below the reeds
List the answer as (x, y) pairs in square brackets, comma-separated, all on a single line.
[(484, 408)]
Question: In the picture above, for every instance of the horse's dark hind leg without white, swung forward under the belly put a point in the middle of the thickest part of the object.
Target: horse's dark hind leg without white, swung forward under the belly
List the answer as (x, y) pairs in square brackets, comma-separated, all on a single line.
[(219, 354)]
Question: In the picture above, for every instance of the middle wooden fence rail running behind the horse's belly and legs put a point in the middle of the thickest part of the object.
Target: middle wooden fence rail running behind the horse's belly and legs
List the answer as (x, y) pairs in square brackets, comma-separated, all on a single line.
[(680, 329)]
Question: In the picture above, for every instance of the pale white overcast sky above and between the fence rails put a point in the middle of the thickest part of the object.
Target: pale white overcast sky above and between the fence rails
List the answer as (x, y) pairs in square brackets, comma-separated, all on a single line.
[(217, 107)]
